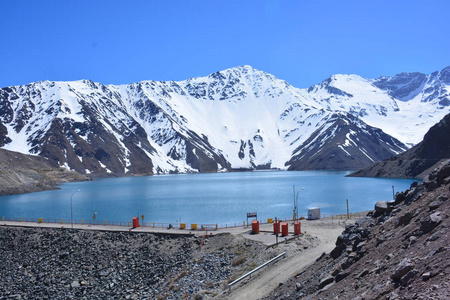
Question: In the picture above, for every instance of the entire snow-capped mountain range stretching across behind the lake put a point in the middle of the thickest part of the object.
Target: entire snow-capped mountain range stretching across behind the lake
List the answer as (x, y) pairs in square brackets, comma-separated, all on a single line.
[(239, 118)]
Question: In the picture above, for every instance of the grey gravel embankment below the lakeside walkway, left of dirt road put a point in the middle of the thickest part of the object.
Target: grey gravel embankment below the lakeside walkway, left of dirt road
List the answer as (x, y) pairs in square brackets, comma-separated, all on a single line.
[(64, 264)]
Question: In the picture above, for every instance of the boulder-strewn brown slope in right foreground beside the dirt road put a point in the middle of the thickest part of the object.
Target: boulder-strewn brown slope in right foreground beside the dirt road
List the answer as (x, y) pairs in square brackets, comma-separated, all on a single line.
[(399, 251)]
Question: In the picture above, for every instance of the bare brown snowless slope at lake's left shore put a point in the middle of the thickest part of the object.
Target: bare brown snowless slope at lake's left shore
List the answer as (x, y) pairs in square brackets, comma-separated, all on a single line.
[(20, 173)]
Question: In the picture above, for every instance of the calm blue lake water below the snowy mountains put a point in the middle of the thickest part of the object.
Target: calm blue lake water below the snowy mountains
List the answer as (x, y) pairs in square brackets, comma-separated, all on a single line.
[(204, 198)]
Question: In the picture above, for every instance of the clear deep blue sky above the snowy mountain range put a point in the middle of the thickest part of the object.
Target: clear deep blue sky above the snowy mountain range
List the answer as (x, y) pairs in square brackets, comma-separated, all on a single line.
[(303, 42)]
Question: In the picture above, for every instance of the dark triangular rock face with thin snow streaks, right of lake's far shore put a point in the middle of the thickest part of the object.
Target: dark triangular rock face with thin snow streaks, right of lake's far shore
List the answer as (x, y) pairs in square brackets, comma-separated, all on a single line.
[(333, 147)]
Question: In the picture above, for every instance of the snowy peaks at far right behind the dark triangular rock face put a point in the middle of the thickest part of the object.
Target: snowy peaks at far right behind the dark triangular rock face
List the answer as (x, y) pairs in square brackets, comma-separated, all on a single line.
[(422, 101)]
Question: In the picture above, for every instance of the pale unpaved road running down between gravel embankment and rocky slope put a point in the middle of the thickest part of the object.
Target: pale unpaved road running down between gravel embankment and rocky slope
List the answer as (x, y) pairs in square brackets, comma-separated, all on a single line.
[(269, 278)]
